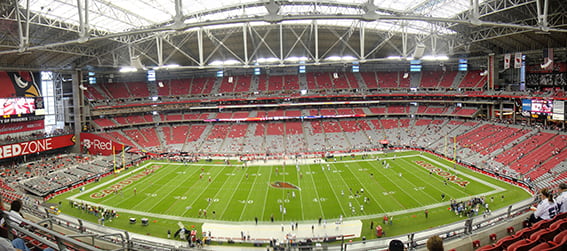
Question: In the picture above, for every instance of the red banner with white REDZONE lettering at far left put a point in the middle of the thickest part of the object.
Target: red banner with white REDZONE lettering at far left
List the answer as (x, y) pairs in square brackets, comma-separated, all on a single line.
[(35, 146)]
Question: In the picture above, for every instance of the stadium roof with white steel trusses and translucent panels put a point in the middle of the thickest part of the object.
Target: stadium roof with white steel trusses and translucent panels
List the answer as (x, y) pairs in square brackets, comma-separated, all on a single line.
[(70, 34)]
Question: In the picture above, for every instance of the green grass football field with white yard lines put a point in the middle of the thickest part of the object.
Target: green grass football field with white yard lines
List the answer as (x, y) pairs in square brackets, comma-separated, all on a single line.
[(171, 192)]
